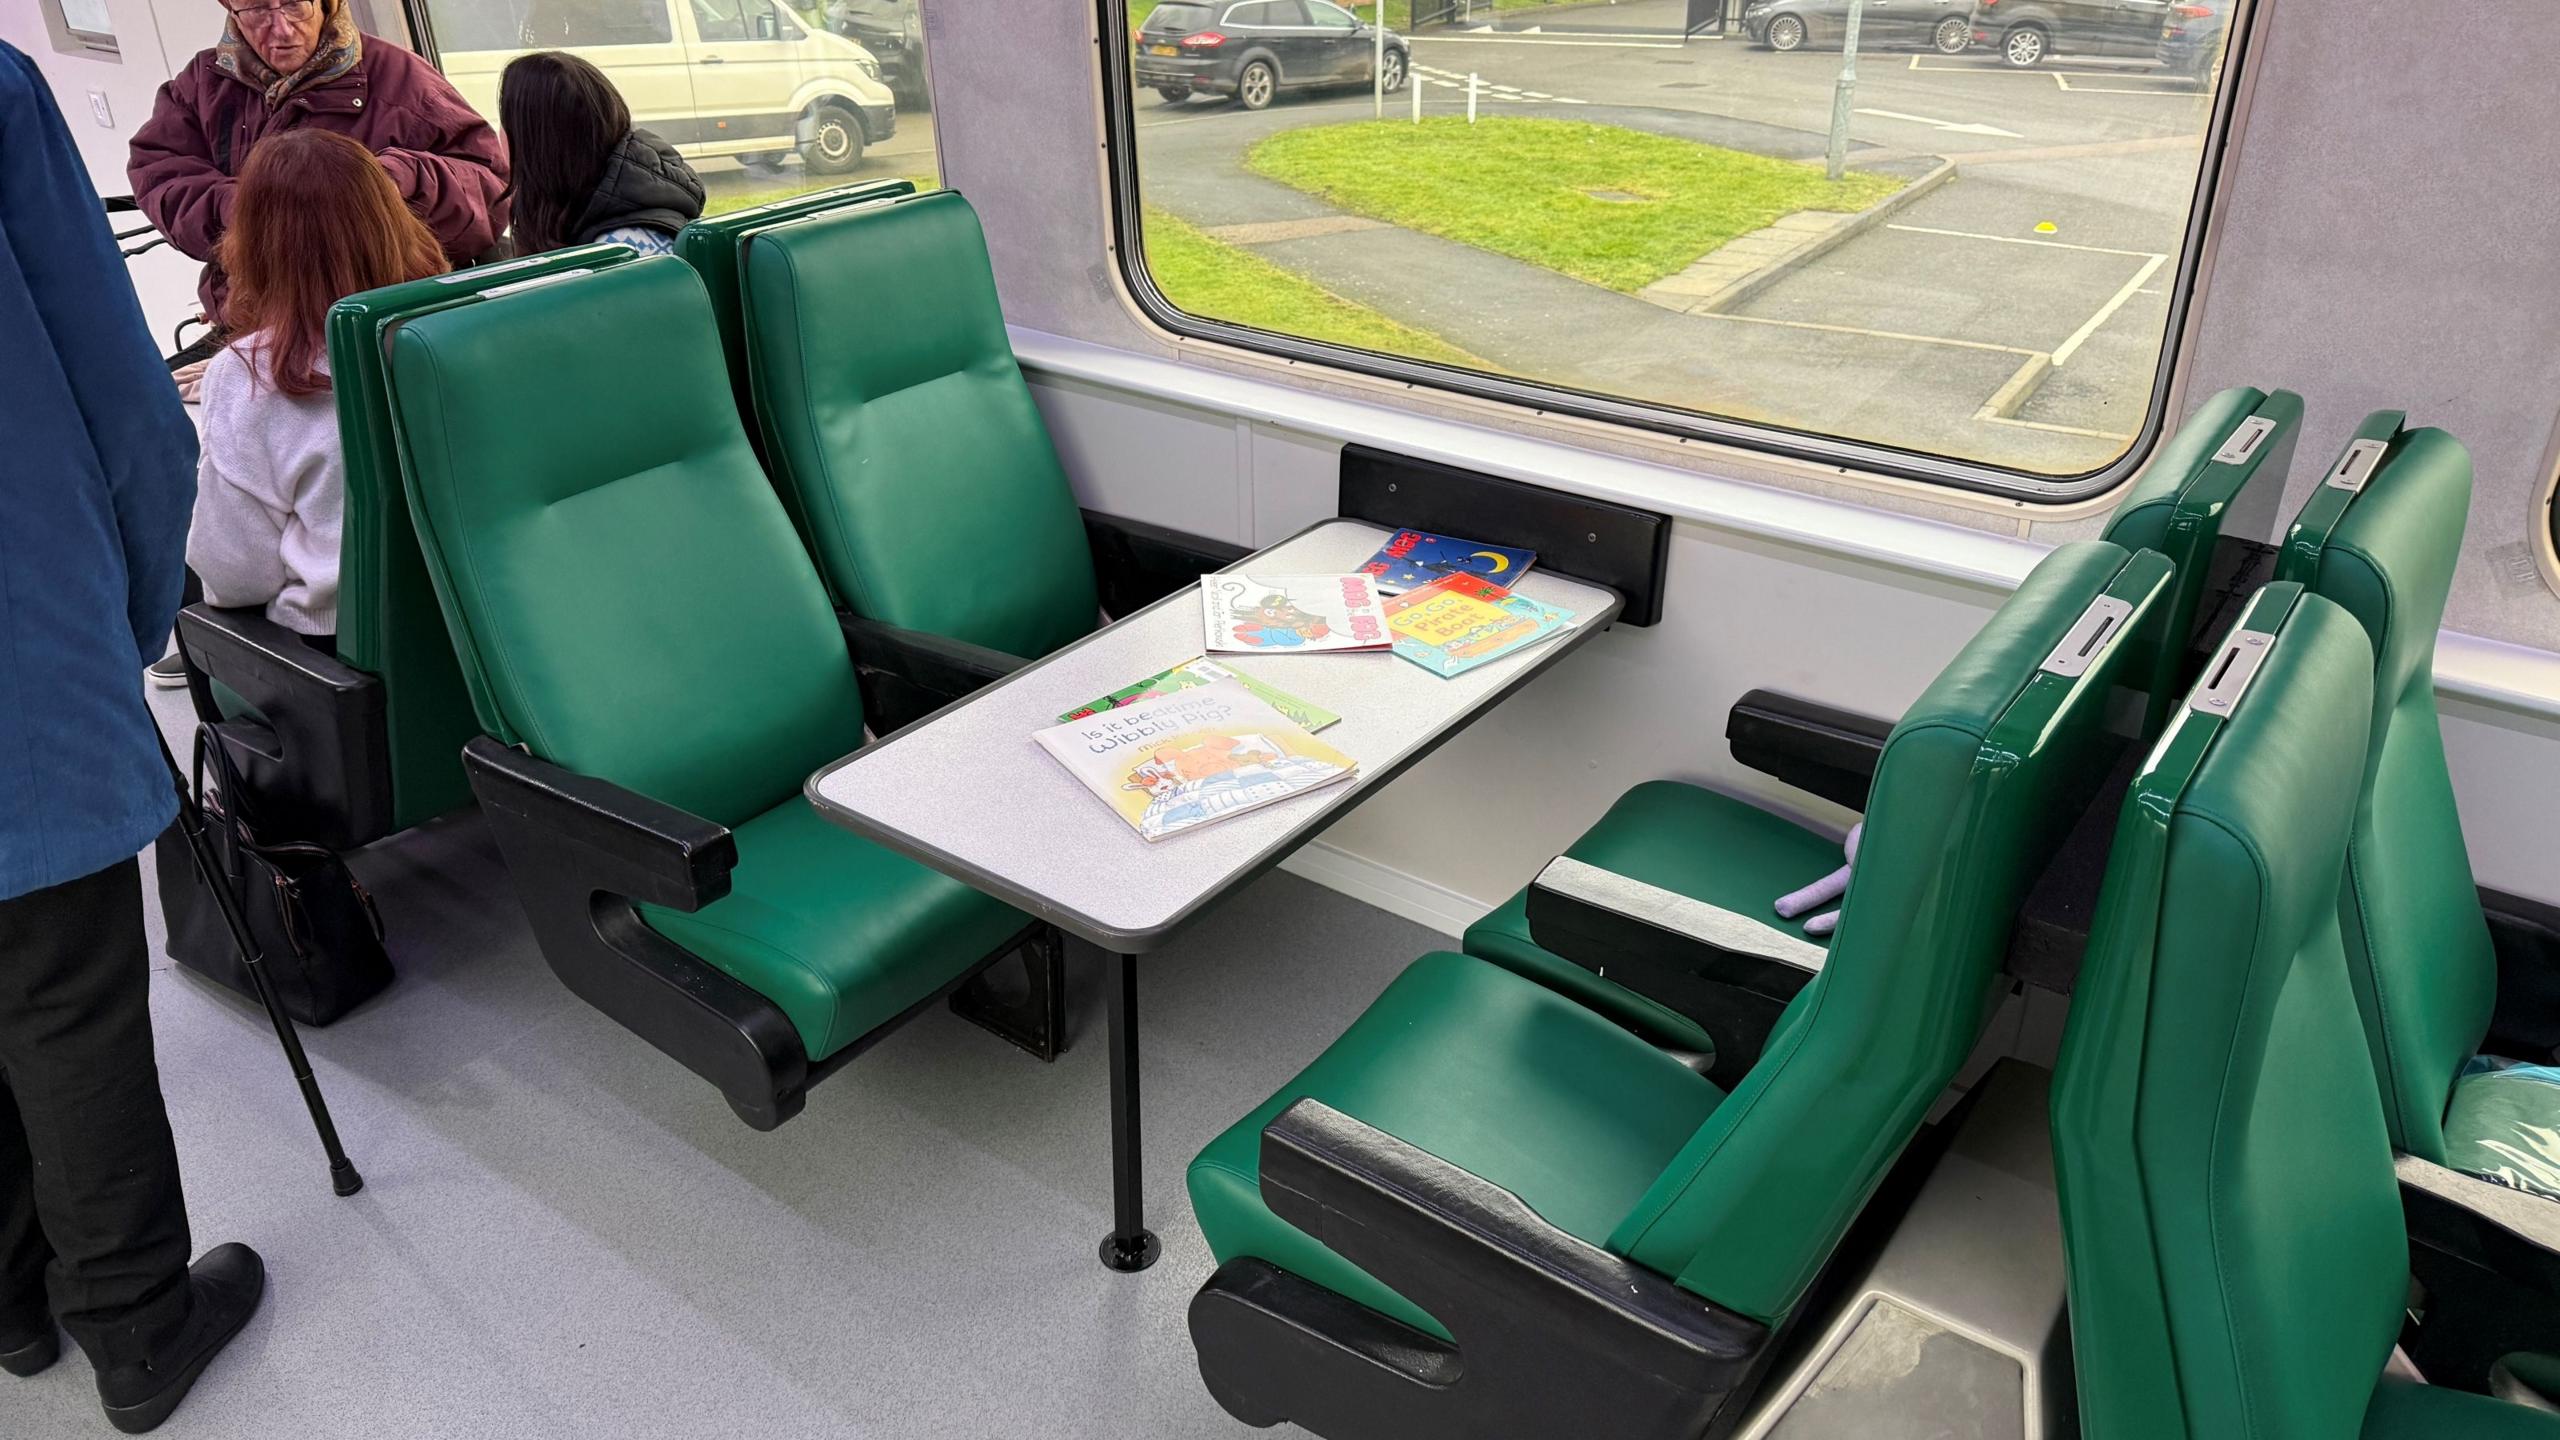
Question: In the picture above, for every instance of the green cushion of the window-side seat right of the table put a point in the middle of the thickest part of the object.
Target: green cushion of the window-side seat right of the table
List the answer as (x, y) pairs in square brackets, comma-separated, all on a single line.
[(1686, 839)]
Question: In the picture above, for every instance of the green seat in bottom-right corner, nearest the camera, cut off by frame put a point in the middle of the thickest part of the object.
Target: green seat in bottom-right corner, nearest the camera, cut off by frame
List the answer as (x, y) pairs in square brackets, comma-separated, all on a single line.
[(2236, 1252)]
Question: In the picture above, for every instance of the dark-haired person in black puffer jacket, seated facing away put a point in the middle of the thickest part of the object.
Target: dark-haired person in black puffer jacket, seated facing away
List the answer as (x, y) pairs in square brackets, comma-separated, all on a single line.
[(582, 173)]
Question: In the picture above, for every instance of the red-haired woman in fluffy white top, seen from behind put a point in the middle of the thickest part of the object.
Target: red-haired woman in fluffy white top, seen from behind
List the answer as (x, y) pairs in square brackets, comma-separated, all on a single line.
[(316, 222)]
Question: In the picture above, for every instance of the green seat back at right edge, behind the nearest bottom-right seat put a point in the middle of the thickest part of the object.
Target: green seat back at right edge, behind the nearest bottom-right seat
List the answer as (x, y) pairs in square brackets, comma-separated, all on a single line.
[(2418, 942)]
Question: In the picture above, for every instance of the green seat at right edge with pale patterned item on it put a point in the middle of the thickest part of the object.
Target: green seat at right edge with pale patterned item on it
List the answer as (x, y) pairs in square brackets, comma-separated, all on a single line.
[(2467, 1083)]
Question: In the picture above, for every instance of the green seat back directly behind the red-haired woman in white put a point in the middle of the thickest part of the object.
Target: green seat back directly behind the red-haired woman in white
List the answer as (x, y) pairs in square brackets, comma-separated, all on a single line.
[(388, 621)]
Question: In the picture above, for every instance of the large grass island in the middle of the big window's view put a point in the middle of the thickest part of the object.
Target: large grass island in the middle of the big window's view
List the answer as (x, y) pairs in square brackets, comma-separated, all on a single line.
[(1535, 188)]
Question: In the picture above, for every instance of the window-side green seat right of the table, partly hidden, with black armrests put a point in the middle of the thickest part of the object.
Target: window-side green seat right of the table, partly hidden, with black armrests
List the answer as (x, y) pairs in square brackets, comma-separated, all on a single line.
[(1740, 857)]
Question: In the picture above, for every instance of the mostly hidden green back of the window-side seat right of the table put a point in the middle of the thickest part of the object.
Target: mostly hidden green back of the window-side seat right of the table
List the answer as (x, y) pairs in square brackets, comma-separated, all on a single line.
[(2185, 501)]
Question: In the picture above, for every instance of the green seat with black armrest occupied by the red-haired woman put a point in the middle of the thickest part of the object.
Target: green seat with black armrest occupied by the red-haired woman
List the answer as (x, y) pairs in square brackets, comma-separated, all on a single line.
[(355, 747)]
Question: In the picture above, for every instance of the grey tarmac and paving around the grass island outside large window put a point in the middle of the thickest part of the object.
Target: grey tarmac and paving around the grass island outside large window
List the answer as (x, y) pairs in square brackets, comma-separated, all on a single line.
[(2011, 316)]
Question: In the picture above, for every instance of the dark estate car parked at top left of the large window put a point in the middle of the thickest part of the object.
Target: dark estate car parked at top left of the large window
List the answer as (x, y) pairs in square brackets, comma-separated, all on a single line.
[(1258, 47)]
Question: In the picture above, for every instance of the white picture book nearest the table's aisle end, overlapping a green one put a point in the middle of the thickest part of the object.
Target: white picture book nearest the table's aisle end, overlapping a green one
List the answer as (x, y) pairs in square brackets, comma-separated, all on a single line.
[(1192, 757)]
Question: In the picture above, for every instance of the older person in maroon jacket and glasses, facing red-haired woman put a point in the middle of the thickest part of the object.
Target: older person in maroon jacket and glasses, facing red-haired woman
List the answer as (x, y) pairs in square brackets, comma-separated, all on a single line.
[(303, 63)]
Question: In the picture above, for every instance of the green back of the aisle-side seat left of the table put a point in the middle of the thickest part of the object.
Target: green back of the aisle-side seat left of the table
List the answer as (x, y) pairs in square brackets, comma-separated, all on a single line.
[(621, 580)]
